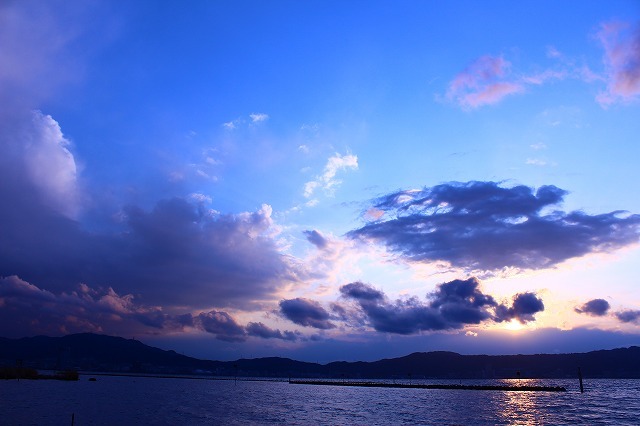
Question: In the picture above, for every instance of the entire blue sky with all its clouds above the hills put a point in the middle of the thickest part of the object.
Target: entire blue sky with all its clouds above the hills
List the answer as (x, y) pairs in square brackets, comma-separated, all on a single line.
[(322, 180)]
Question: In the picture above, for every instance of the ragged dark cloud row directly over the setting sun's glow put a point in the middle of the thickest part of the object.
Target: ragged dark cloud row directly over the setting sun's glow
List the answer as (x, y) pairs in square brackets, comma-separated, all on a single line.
[(451, 306)]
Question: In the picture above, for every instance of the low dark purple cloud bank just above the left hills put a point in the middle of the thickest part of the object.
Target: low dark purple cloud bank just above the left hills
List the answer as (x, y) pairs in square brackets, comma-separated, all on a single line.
[(28, 310)]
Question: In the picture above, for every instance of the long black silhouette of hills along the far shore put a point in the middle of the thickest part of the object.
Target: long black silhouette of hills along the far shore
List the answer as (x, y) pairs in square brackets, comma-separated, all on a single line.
[(93, 352)]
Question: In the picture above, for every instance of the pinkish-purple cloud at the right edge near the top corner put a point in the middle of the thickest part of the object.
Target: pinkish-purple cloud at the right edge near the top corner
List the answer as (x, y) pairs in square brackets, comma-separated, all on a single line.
[(621, 43)]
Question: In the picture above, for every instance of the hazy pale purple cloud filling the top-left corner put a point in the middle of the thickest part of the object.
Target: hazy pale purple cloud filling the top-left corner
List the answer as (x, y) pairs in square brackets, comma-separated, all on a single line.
[(40, 48)]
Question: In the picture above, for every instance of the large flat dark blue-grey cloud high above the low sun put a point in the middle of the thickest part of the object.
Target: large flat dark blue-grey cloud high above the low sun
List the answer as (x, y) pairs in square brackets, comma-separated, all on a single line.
[(481, 226)]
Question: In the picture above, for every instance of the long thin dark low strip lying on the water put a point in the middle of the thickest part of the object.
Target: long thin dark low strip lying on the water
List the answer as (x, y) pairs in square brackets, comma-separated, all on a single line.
[(434, 386)]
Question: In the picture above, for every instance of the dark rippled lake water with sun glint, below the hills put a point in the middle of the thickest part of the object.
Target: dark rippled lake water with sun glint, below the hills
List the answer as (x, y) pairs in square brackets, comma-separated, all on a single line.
[(128, 400)]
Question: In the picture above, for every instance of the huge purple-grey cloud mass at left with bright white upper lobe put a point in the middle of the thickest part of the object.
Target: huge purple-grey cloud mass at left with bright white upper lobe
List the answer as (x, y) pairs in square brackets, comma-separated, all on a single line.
[(177, 253)]
